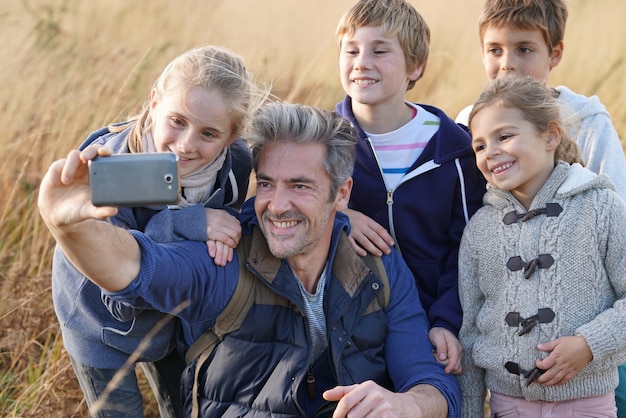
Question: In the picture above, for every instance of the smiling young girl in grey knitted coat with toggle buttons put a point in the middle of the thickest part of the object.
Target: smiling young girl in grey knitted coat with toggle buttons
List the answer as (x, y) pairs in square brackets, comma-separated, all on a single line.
[(542, 266)]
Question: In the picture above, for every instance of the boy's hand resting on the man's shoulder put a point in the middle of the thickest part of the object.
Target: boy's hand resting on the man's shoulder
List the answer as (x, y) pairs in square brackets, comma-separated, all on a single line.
[(366, 235)]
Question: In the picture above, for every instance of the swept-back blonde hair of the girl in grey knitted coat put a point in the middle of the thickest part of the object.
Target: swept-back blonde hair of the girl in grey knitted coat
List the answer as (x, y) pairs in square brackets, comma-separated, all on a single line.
[(539, 105)]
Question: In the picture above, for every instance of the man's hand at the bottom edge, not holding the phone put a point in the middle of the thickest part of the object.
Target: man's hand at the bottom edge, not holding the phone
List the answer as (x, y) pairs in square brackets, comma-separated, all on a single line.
[(371, 400)]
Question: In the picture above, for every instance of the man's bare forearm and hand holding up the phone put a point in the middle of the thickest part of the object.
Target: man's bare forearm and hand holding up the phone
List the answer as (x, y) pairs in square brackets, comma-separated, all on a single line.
[(106, 254)]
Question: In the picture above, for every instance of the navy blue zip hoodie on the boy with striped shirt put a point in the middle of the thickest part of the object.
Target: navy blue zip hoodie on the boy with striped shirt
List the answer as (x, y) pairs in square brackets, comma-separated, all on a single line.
[(426, 212)]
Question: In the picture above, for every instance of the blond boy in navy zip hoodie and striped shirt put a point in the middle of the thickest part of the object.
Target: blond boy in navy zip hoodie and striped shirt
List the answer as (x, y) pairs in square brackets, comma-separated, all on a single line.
[(415, 180)]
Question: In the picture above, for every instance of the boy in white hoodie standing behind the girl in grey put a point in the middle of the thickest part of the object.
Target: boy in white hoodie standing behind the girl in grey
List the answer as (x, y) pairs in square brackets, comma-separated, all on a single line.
[(525, 37)]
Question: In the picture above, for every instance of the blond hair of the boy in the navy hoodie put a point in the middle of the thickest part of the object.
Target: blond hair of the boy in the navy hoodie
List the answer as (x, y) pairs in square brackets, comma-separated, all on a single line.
[(396, 17)]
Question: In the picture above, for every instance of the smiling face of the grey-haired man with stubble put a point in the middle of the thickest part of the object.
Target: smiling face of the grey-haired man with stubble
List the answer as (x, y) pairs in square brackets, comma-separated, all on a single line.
[(293, 202)]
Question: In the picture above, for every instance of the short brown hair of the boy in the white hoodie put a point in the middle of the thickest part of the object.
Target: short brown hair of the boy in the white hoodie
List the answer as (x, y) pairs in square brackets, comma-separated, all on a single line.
[(547, 16)]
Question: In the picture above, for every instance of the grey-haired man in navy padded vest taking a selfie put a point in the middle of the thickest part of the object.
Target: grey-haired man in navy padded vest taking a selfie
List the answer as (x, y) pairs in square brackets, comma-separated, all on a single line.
[(315, 342)]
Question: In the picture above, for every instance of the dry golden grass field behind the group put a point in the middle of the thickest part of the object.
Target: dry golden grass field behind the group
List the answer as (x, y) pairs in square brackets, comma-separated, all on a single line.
[(71, 66)]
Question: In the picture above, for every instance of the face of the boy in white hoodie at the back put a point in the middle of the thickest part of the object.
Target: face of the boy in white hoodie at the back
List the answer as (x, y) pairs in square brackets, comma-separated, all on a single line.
[(510, 51)]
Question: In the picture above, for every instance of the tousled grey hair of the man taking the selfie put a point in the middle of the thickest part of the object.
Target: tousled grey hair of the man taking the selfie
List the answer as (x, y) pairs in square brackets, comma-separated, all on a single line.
[(285, 122)]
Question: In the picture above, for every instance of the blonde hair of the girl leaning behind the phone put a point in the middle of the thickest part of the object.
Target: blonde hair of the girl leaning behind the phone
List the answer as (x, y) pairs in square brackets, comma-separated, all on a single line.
[(210, 67)]
